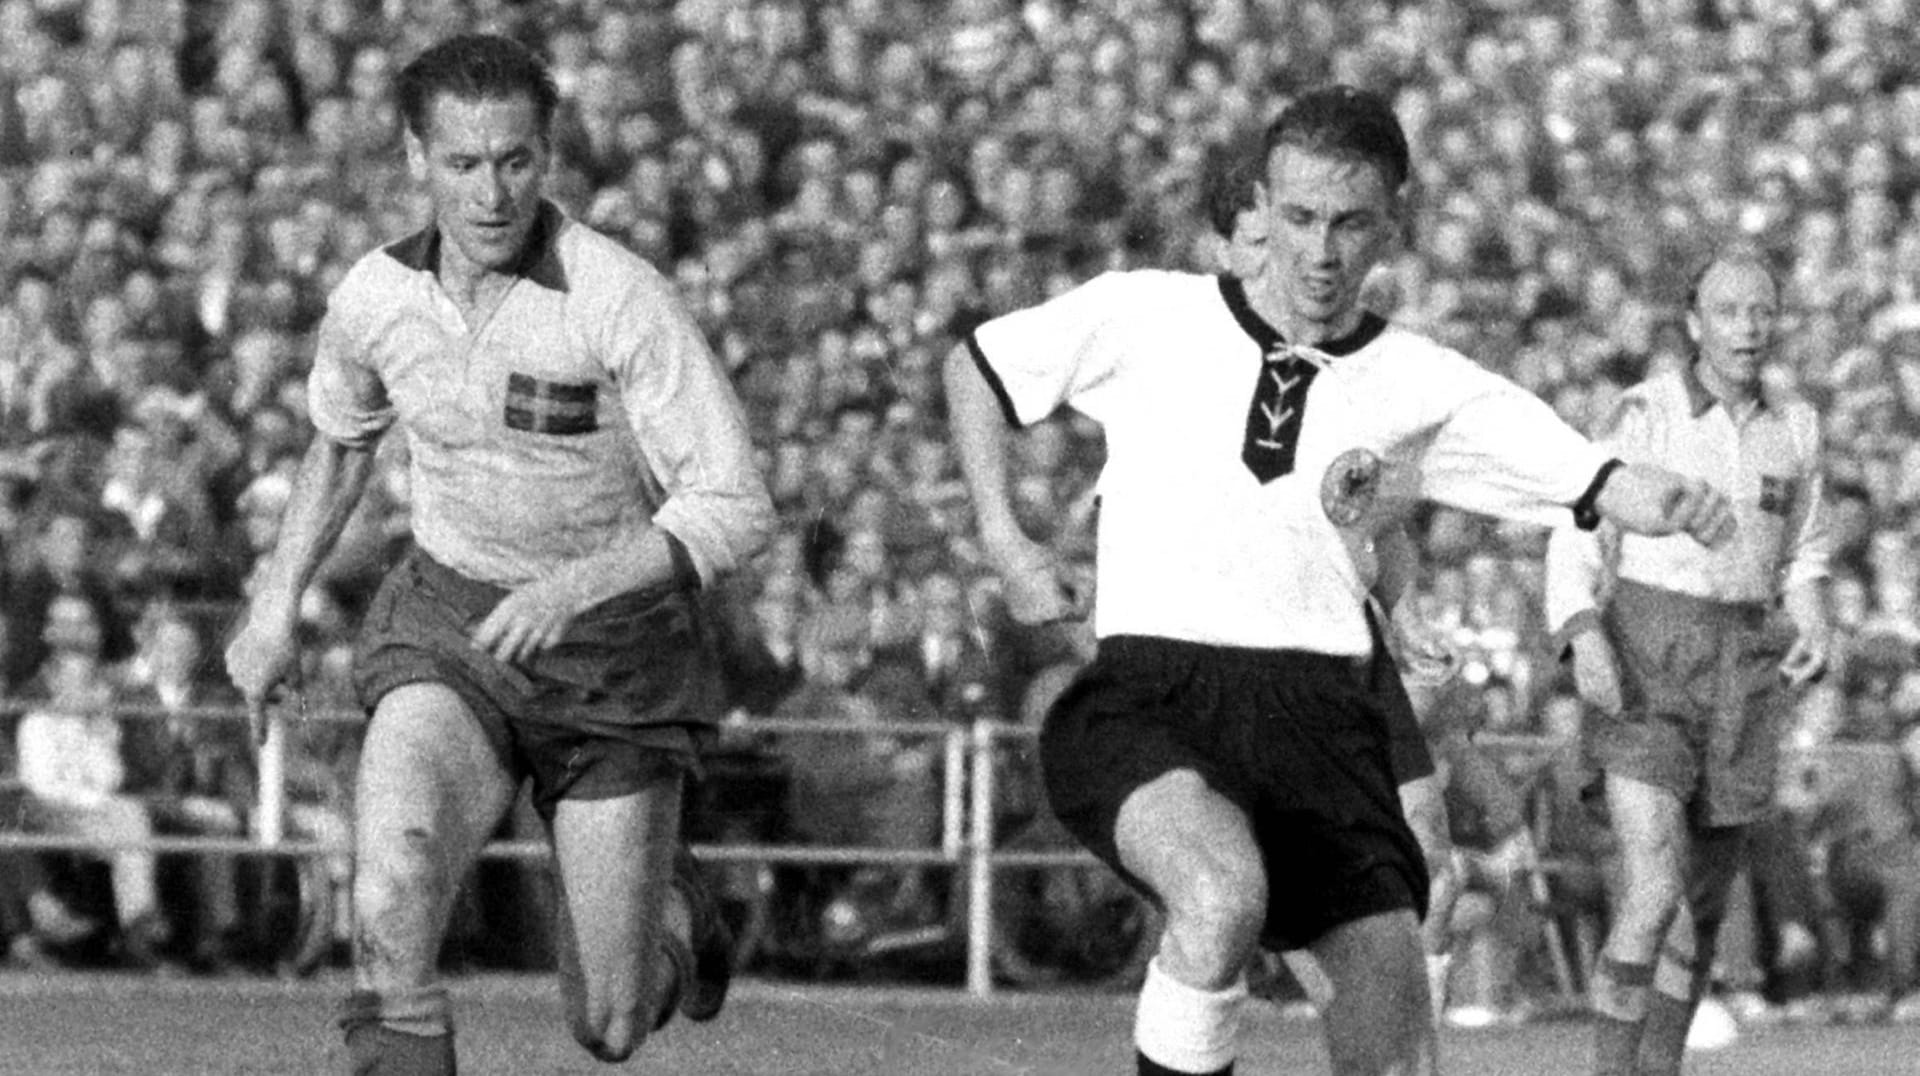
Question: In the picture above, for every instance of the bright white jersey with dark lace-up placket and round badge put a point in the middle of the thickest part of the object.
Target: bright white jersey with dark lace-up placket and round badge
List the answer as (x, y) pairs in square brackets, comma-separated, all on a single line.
[(1195, 547)]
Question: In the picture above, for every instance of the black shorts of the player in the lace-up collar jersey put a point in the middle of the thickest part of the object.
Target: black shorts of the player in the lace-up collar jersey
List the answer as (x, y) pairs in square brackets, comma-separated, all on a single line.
[(1301, 743)]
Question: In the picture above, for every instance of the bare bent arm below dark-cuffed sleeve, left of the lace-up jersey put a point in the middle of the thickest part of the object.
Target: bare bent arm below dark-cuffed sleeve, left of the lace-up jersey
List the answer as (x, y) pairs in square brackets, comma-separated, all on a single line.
[(1036, 587)]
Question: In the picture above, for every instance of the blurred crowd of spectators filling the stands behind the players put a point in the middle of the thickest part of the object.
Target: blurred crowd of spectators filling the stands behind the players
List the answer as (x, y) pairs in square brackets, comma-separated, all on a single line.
[(840, 189)]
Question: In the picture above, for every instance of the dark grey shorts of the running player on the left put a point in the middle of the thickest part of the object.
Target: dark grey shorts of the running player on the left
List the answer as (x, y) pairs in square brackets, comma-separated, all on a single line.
[(631, 689)]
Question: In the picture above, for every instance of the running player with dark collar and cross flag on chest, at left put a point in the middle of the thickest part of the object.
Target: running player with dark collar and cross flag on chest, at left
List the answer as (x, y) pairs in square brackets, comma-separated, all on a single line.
[(579, 468)]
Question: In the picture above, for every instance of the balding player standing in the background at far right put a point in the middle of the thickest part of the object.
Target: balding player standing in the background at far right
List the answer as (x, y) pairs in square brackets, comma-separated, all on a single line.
[(1691, 662)]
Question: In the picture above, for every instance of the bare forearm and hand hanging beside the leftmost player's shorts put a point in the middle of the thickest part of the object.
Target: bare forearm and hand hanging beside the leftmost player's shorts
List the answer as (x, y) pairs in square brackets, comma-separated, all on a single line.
[(262, 654)]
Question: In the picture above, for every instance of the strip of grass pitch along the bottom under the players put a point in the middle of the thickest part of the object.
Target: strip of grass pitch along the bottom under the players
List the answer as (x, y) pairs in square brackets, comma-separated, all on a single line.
[(110, 1025)]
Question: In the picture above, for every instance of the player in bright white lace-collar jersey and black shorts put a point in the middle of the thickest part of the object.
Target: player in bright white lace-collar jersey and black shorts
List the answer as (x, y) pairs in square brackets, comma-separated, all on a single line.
[(1228, 727)]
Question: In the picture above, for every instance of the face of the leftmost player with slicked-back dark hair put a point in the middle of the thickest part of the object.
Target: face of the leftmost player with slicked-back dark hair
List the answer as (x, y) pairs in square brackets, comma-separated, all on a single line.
[(483, 164)]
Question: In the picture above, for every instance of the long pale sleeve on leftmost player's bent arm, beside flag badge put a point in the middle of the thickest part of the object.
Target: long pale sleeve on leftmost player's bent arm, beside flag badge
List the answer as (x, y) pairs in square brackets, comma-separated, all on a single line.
[(690, 429)]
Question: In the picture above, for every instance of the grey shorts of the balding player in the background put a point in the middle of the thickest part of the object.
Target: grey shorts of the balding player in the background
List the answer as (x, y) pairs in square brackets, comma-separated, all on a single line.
[(1702, 698)]
